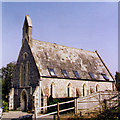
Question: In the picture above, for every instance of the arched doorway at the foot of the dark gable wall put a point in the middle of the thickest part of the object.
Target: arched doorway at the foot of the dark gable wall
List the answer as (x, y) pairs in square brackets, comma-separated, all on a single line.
[(24, 101)]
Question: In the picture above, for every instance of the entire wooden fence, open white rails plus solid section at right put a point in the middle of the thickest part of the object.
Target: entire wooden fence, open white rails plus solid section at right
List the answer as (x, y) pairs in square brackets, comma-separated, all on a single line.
[(94, 102)]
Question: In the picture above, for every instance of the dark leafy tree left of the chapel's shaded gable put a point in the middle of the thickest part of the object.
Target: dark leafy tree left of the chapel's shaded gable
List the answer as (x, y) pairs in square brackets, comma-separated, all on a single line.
[(6, 75)]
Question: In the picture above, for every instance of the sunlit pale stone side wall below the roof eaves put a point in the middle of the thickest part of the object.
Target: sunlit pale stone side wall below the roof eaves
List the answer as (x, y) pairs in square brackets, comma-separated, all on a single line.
[(61, 87)]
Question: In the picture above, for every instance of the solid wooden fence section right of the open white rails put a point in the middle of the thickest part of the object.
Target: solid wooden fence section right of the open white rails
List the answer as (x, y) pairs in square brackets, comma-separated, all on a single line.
[(97, 102)]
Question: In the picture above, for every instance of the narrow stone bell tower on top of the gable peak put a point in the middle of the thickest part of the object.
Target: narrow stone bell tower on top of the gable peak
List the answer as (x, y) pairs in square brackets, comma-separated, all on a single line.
[(27, 30)]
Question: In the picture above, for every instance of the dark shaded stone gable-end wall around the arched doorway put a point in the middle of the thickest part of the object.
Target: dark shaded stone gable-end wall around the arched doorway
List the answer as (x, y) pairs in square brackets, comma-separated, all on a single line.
[(33, 76)]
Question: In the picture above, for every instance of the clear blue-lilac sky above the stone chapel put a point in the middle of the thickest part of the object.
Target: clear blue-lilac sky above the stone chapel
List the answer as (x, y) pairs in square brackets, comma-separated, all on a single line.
[(86, 25)]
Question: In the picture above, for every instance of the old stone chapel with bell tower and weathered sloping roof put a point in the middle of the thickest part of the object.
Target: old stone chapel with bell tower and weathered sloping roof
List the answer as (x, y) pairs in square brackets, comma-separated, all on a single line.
[(45, 70)]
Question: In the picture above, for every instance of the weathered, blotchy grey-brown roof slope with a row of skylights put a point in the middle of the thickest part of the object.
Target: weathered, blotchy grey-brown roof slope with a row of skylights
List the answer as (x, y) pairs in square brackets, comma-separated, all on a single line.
[(48, 55)]
